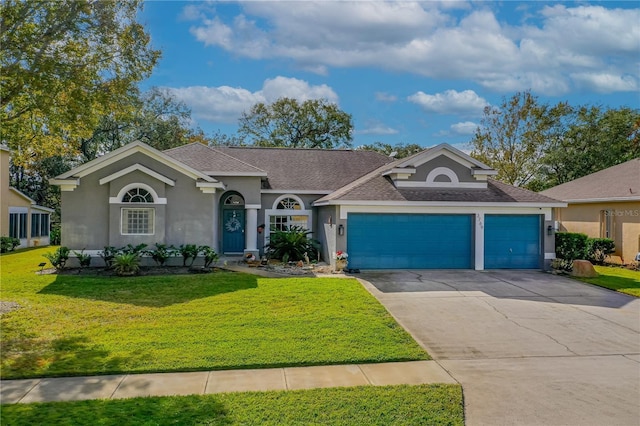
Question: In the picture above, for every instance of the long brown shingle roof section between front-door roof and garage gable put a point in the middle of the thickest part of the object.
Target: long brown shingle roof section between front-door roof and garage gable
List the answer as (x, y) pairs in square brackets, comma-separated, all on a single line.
[(290, 169)]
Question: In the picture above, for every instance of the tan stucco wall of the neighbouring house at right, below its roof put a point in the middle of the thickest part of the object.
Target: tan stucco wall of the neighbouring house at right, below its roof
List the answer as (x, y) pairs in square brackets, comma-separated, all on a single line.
[(585, 218)]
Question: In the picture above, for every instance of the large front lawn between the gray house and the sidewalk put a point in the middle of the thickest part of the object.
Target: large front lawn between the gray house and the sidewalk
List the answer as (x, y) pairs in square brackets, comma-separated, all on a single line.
[(83, 325)]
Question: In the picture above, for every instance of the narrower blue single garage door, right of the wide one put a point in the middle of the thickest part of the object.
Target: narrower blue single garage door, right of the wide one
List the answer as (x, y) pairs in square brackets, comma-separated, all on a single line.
[(512, 242)]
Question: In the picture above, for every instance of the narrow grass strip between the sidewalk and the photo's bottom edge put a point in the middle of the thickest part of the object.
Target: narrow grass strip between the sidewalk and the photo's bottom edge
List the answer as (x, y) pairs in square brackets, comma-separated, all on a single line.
[(367, 405)]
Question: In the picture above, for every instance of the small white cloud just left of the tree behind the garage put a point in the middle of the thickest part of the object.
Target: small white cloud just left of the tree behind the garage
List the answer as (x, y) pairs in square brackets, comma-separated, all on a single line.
[(466, 102)]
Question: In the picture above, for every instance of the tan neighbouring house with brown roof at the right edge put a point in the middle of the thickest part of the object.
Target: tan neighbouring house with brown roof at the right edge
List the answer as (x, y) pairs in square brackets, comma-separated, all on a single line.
[(604, 204)]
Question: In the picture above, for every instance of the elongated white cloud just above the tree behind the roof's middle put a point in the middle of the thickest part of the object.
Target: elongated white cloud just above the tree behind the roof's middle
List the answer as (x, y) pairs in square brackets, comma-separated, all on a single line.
[(226, 104)]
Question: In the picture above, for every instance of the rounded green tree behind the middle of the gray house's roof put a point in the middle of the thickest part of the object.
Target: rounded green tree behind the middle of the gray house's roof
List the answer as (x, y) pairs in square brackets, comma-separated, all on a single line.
[(288, 123)]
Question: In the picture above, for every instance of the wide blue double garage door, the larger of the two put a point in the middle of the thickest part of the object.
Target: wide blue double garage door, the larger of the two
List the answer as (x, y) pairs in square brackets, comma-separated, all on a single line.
[(409, 241)]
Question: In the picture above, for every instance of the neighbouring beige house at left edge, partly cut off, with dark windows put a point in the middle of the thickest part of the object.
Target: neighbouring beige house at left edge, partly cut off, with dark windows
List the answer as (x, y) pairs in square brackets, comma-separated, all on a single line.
[(20, 216)]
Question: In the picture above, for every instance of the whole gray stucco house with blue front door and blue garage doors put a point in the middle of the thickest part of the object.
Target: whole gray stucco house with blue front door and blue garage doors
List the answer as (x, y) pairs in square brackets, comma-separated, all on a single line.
[(435, 209)]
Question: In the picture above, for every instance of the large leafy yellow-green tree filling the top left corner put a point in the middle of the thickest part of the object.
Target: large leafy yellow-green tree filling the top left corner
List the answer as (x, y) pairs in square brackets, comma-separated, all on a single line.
[(64, 66)]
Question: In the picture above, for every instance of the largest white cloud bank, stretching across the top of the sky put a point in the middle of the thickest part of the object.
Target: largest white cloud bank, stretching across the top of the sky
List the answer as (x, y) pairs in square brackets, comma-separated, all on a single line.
[(439, 40)]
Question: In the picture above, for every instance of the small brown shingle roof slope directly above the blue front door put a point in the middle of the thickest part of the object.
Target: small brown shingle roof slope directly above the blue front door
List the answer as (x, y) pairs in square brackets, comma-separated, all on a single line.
[(212, 161)]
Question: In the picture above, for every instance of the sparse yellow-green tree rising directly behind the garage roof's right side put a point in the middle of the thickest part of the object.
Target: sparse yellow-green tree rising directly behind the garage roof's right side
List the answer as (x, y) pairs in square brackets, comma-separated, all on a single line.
[(513, 138)]
